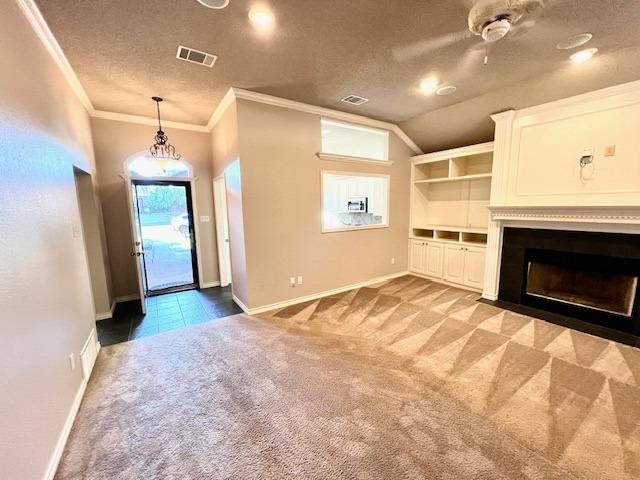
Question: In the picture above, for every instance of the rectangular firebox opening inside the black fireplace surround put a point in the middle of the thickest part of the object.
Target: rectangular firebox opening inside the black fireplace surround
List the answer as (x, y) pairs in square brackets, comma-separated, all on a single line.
[(607, 292)]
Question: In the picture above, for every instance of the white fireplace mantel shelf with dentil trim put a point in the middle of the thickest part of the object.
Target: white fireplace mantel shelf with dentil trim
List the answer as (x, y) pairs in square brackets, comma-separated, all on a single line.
[(573, 214)]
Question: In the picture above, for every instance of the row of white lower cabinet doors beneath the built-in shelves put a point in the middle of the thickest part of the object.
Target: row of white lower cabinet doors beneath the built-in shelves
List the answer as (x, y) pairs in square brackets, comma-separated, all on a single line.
[(454, 262)]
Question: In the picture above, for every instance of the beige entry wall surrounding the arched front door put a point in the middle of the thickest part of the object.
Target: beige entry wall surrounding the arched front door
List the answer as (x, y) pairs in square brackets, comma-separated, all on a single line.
[(114, 142)]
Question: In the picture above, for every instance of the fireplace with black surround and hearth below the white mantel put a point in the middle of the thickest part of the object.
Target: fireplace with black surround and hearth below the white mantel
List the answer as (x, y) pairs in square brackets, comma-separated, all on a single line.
[(591, 277)]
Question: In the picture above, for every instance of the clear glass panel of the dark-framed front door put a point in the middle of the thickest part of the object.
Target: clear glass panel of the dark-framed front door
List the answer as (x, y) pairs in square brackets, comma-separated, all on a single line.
[(166, 235)]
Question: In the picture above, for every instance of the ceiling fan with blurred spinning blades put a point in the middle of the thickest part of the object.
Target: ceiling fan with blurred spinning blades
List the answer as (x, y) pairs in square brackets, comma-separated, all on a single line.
[(492, 20)]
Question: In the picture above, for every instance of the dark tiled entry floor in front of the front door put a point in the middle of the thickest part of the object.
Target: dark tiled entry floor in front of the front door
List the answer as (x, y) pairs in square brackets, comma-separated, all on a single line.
[(165, 313)]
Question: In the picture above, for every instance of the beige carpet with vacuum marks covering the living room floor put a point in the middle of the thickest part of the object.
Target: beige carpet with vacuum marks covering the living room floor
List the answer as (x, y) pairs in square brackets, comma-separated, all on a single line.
[(410, 379)]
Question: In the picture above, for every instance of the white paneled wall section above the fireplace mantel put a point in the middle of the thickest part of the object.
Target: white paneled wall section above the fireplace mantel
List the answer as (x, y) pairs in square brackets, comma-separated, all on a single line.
[(543, 145)]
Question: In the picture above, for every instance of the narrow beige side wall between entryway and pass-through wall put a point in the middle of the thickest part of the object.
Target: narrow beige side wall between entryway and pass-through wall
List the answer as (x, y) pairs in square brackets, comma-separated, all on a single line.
[(226, 161)]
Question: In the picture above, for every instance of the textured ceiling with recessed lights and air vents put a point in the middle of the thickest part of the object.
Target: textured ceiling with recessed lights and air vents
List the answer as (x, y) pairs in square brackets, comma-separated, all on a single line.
[(123, 51)]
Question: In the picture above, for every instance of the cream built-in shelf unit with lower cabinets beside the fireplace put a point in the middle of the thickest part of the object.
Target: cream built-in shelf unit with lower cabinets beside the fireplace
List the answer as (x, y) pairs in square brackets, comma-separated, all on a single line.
[(450, 193)]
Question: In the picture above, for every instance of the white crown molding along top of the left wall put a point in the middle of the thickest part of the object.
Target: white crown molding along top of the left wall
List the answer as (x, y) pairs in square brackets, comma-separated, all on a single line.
[(39, 25)]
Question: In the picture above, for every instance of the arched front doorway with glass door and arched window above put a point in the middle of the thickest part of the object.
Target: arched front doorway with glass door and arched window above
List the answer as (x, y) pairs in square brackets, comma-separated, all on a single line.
[(163, 225)]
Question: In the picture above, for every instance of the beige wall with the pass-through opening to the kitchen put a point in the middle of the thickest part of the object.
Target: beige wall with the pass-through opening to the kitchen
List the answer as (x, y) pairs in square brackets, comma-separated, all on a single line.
[(282, 224)]
